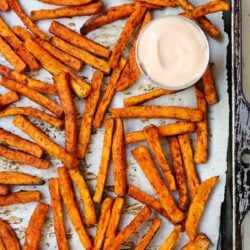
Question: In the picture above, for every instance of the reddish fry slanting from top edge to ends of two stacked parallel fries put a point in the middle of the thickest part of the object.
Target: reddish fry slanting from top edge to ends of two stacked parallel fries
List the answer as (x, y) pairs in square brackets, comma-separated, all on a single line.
[(127, 31)]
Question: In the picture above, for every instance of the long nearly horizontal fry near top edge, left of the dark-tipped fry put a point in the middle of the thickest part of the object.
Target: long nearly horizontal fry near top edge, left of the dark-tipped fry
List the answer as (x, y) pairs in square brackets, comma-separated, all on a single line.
[(70, 11)]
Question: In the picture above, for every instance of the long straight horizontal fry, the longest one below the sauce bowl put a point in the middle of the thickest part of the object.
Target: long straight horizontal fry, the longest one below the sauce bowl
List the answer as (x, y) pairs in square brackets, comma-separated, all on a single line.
[(171, 112)]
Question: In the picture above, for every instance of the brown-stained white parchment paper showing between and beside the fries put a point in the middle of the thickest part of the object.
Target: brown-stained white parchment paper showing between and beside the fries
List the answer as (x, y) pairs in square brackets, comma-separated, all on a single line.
[(18, 215)]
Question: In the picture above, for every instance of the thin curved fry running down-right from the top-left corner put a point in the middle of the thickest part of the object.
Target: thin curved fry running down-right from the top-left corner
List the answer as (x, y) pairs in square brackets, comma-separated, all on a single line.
[(14, 4)]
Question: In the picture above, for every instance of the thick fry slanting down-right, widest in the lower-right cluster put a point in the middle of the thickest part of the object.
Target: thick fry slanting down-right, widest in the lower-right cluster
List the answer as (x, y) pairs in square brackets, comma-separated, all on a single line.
[(143, 157)]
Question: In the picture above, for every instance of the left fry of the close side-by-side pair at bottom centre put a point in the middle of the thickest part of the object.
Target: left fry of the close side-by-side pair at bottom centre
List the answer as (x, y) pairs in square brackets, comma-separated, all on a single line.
[(103, 223)]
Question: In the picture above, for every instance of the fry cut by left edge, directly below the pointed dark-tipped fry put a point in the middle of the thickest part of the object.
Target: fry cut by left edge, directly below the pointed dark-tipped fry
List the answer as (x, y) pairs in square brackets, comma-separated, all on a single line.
[(20, 197)]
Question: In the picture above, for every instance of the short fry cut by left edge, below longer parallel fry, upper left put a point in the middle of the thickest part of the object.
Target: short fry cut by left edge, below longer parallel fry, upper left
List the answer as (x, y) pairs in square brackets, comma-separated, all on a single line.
[(11, 56)]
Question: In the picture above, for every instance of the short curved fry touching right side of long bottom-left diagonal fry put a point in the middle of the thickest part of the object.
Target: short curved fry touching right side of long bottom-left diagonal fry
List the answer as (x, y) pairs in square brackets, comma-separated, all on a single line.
[(88, 204)]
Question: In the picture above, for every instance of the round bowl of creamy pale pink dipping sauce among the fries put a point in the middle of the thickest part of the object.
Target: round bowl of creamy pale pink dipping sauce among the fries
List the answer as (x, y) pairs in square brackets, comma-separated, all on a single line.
[(173, 51)]
